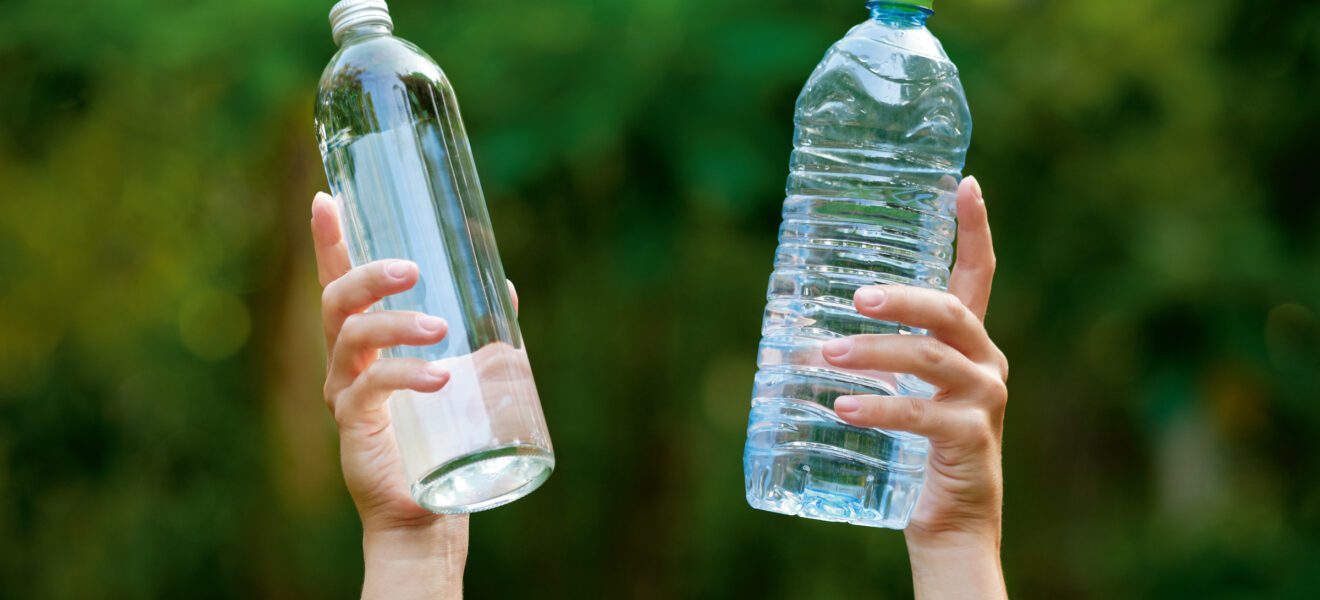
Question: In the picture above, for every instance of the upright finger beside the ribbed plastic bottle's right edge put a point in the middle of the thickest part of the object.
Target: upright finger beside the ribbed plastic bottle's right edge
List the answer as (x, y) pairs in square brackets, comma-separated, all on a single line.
[(975, 268)]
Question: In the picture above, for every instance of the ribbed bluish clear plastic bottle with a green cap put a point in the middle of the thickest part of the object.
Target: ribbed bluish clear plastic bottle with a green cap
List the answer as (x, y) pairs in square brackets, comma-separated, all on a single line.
[(882, 130)]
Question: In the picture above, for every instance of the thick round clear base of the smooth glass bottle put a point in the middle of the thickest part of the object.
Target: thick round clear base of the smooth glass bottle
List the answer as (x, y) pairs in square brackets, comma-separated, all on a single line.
[(484, 481)]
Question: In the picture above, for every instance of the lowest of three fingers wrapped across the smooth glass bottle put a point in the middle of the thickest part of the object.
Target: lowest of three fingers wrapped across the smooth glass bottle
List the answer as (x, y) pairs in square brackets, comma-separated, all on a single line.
[(370, 391)]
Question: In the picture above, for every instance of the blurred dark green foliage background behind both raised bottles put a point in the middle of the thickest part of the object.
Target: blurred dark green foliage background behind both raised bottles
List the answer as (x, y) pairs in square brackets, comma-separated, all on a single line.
[(1150, 175)]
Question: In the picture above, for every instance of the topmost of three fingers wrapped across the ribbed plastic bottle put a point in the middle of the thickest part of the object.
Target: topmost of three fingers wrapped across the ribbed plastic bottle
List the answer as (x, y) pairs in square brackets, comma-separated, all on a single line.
[(942, 315)]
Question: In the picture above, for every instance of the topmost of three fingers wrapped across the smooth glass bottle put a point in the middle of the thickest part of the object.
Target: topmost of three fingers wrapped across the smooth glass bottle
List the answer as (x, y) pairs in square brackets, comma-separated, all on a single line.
[(361, 288)]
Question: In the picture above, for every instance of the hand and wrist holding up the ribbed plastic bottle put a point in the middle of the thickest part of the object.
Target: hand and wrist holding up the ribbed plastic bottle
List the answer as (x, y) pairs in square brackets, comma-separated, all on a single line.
[(954, 537)]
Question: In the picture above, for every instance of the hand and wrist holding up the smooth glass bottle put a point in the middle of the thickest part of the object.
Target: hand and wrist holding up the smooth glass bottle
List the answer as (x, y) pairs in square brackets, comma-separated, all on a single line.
[(409, 551)]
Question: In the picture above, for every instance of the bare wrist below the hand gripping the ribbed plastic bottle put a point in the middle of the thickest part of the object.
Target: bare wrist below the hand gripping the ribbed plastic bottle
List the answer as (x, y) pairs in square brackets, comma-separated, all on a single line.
[(958, 568)]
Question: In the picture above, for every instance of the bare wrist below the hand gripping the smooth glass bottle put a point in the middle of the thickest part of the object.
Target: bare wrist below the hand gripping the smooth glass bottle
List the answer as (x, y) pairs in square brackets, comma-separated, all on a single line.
[(416, 565)]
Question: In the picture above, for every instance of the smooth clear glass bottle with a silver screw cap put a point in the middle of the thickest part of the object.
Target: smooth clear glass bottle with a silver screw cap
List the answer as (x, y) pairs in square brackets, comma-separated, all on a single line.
[(402, 171)]
